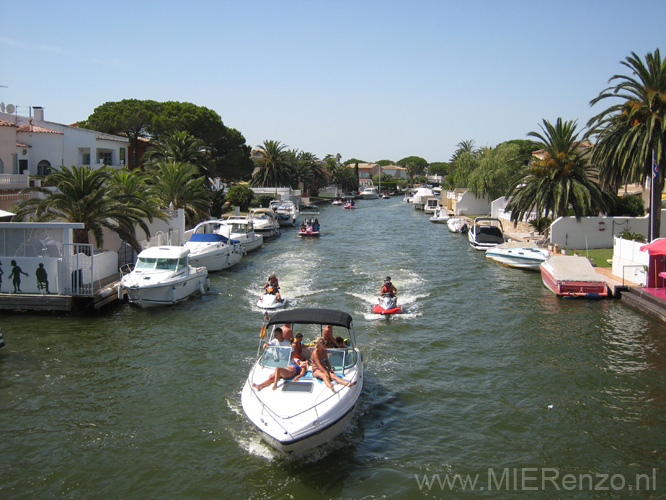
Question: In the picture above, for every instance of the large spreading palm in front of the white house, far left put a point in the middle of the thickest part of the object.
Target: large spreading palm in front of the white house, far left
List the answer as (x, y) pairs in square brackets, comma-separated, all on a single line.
[(83, 195)]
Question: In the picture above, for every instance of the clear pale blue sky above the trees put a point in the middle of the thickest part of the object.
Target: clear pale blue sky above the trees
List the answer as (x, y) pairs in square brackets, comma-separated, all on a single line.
[(367, 79)]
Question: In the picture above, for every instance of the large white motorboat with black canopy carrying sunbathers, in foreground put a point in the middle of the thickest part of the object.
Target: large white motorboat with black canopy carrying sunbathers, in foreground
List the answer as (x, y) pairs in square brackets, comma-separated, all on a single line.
[(302, 415)]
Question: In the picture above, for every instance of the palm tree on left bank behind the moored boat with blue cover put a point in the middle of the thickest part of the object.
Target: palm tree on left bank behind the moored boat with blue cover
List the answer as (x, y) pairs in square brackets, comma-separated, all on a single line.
[(176, 185)]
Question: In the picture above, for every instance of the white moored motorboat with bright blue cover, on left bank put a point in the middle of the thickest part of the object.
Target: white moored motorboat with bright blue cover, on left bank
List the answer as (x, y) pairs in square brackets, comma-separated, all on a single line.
[(212, 250)]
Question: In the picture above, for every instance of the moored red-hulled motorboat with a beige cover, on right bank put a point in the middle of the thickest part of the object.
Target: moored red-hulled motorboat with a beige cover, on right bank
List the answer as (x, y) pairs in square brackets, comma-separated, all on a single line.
[(572, 276)]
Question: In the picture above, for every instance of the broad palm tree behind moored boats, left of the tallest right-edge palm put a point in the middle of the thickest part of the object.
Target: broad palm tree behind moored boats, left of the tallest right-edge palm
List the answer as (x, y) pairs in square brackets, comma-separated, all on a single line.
[(560, 179)]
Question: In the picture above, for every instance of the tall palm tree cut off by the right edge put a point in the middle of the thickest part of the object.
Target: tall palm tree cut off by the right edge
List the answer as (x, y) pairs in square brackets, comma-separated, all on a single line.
[(632, 130)]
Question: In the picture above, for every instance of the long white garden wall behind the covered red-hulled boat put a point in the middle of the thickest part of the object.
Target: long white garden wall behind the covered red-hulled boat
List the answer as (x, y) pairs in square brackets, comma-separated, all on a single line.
[(567, 232)]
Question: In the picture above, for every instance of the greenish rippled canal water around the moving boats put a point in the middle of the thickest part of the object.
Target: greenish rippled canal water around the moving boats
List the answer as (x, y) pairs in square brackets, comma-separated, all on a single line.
[(488, 385)]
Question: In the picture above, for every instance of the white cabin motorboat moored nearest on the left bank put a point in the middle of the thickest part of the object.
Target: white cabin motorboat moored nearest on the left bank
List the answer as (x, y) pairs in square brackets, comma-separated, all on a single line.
[(162, 276)]
